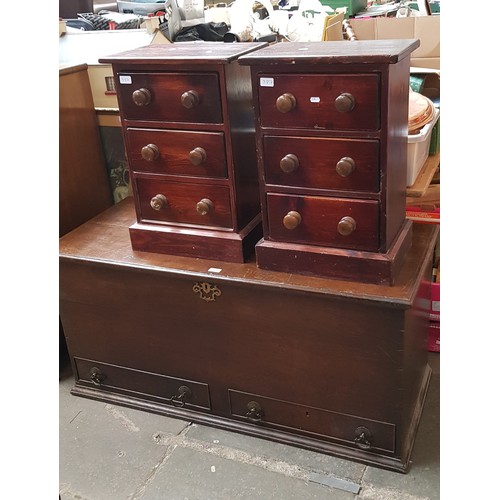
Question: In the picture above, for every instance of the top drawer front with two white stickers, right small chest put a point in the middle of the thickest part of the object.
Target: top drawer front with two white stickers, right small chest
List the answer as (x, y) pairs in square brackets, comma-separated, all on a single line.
[(332, 102)]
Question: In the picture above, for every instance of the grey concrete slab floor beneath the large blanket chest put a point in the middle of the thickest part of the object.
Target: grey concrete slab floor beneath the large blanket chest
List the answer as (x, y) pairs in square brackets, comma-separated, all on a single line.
[(107, 452)]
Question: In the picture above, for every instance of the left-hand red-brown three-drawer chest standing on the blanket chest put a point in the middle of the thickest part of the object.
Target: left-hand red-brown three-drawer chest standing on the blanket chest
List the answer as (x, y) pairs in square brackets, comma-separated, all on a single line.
[(188, 126)]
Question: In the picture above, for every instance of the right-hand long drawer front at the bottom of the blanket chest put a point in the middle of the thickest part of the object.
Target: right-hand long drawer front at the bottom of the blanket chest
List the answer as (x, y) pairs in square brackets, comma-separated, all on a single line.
[(351, 430)]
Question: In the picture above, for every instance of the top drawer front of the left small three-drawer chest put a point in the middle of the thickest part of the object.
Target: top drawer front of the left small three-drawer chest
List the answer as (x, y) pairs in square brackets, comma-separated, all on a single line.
[(174, 97)]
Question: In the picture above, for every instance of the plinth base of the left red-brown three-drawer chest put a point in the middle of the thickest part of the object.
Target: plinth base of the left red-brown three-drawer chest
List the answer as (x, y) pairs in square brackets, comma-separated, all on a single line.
[(205, 244)]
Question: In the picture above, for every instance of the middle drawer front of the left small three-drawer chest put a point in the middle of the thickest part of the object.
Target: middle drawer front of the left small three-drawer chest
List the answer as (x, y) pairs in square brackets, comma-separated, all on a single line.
[(199, 154)]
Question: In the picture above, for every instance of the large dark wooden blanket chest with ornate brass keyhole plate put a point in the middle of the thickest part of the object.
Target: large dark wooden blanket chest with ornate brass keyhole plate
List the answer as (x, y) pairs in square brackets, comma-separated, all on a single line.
[(334, 366)]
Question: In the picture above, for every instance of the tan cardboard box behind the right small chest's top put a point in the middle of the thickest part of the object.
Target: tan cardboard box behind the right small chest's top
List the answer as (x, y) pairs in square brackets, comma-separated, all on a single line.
[(424, 28)]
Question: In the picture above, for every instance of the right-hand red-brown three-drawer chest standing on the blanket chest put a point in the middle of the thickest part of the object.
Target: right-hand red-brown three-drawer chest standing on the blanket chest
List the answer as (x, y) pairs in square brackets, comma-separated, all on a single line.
[(331, 133)]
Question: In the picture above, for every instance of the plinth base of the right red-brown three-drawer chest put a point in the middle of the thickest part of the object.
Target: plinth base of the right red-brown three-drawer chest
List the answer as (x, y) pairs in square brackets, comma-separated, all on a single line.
[(369, 267)]
